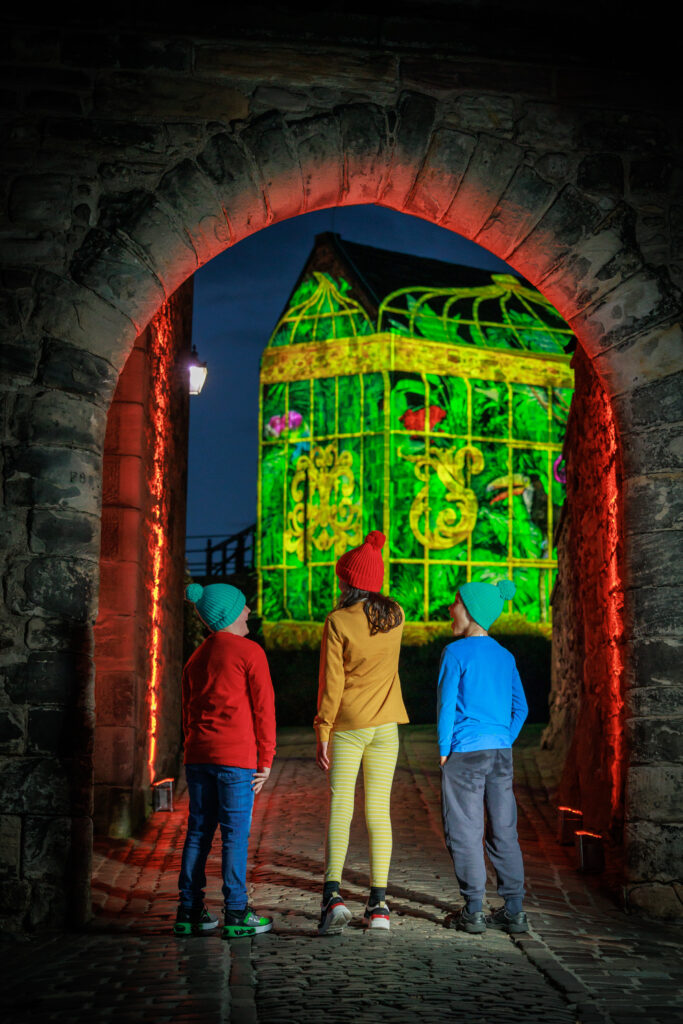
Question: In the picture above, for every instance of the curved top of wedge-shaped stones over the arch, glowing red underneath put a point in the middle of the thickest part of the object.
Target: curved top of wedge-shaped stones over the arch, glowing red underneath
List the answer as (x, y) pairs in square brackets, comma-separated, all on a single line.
[(271, 169)]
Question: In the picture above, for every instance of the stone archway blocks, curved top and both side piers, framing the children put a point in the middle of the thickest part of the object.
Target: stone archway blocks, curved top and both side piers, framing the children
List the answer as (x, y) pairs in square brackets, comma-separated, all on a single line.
[(145, 244)]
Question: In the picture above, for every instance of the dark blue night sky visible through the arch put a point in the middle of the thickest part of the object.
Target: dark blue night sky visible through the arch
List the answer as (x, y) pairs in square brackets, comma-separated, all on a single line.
[(239, 297)]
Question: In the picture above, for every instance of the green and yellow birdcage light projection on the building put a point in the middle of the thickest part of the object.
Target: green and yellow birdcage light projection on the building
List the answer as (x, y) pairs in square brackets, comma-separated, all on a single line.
[(441, 423)]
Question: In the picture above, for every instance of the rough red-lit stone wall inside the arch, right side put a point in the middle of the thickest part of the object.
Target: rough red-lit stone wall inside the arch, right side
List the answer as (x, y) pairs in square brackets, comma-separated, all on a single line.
[(587, 697)]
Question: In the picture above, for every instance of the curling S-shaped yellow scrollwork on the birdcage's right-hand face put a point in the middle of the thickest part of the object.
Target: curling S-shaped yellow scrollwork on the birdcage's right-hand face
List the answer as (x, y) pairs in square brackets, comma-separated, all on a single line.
[(455, 524)]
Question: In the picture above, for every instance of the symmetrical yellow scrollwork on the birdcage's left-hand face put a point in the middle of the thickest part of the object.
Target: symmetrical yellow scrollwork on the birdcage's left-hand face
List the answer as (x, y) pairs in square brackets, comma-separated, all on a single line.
[(324, 515)]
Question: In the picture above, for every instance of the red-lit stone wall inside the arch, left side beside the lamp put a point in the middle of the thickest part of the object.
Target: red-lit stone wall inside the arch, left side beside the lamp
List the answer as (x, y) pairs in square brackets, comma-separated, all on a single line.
[(139, 634)]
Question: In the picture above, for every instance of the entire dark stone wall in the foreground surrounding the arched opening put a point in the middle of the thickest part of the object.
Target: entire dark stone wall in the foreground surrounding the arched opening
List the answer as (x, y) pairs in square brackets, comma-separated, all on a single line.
[(130, 160)]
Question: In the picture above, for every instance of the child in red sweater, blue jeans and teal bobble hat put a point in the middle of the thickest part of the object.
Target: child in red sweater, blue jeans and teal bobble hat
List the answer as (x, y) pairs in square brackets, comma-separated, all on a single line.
[(229, 718)]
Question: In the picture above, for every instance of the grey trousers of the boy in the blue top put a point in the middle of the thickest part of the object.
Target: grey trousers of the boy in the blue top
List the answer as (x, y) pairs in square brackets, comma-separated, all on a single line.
[(471, 780)]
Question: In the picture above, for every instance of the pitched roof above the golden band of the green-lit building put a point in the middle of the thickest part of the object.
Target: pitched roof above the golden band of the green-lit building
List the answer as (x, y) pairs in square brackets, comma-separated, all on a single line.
[(432, 298)]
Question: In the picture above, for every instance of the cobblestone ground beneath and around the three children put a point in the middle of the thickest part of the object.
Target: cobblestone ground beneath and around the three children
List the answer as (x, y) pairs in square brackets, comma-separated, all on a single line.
[(583, 962)]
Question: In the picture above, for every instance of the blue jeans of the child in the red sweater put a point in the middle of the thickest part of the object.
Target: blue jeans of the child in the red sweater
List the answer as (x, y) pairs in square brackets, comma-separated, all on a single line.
[(219, 795)]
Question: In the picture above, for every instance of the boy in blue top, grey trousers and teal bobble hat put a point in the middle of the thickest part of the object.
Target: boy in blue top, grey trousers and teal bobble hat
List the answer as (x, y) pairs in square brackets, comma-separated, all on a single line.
[(481, 710)]
